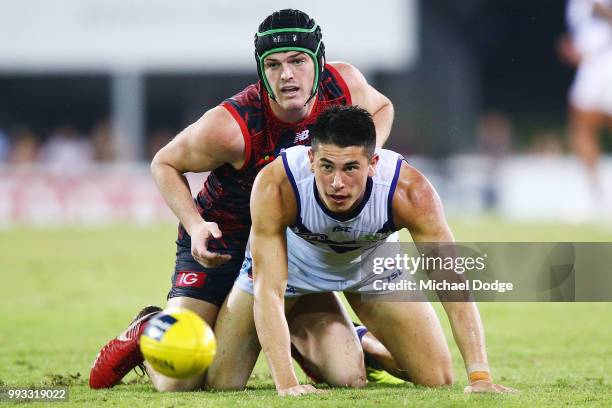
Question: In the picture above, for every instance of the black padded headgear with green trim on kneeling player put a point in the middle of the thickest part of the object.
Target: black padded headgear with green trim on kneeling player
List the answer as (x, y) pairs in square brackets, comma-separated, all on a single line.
[(289, 30)]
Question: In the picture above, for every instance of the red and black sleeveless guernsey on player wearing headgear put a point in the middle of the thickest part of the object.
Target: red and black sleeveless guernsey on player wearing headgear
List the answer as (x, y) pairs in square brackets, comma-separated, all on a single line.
[(225, 195)]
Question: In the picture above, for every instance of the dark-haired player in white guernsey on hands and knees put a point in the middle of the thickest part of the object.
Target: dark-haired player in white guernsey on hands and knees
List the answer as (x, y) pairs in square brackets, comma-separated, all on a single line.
[(296, 251)]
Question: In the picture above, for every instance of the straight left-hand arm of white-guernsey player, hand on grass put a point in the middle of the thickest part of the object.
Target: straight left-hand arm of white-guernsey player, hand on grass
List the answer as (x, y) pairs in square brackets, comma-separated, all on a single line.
[(273, 208)]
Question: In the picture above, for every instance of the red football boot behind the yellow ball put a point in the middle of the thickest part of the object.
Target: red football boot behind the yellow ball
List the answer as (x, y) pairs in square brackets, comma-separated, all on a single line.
[(121, 354)]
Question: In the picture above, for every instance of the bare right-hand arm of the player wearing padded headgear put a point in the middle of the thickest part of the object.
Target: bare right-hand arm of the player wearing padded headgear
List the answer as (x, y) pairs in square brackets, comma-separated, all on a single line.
[(366, 96)]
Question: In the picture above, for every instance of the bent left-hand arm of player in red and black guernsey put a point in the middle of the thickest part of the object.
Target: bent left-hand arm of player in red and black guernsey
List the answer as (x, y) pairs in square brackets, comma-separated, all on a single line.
[(213, 140)]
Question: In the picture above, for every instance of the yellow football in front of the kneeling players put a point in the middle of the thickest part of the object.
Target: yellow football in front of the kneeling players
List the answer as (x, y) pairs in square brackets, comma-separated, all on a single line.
[(178, 343)]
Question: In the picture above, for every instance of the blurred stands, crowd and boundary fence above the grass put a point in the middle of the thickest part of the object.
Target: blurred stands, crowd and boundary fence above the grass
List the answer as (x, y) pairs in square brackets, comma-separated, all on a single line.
[(91, 89)]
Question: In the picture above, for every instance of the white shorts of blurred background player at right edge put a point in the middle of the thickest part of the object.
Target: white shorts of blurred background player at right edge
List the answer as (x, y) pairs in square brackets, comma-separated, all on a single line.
[(592, 87)]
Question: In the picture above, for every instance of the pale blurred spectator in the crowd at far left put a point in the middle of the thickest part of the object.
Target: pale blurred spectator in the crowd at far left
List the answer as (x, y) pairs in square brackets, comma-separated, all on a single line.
[(66, 150)]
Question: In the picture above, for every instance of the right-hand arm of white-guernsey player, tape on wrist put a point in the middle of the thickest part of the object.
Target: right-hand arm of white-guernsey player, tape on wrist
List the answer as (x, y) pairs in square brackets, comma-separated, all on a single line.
[(417, 207)]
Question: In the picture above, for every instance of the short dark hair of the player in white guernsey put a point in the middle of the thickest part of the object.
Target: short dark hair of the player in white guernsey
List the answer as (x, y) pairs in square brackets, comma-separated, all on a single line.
[(345, 126)]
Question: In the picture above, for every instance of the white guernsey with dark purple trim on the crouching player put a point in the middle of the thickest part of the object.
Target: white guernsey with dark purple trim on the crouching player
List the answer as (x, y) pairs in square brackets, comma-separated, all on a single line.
[(326, 250)]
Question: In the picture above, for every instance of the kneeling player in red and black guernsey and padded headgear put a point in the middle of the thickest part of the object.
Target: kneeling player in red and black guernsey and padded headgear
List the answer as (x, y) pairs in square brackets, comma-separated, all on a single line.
[(234, 141)]
